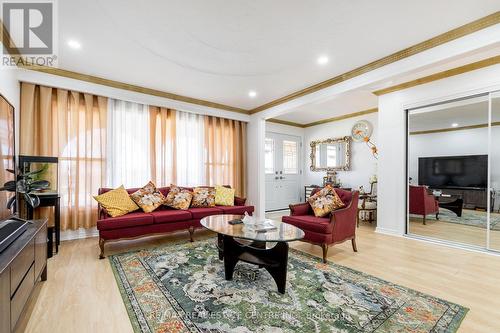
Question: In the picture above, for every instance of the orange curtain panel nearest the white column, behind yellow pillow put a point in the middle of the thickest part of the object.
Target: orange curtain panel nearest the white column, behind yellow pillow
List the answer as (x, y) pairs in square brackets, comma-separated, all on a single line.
[(225, 147)]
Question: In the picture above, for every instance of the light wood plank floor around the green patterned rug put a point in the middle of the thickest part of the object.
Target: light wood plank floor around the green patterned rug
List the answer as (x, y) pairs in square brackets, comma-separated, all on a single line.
[(81, 294)]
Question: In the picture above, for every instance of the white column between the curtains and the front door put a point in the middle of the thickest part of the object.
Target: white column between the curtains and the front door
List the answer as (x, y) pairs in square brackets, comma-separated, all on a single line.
[(256, 134)]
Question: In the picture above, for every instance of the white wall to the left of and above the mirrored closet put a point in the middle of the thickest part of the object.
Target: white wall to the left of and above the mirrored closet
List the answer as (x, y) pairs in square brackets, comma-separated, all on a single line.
[(392, 136)]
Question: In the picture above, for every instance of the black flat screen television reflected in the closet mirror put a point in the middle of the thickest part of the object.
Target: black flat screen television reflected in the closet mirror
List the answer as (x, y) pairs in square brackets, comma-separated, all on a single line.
[(460, 172)]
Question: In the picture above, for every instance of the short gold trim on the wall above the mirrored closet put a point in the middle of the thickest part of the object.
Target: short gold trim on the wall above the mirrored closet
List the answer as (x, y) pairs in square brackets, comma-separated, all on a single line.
[(441, 75)]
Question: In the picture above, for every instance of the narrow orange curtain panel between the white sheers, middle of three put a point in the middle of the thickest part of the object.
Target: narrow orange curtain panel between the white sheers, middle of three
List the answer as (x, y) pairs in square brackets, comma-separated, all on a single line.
[(163, 145)]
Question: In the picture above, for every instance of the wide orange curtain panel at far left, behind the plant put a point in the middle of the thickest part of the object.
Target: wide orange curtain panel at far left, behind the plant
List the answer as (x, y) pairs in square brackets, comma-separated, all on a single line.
[(72, 126)]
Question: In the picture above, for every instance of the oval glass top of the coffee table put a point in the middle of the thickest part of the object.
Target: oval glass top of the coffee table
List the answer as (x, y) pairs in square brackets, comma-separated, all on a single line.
[(220, 224)]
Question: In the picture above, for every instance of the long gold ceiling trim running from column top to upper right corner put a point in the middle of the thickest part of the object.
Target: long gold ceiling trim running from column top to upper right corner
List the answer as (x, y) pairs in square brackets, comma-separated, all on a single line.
[(446, 37)]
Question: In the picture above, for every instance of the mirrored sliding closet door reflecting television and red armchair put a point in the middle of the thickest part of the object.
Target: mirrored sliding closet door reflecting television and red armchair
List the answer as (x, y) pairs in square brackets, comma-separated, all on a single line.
[(448, 158)]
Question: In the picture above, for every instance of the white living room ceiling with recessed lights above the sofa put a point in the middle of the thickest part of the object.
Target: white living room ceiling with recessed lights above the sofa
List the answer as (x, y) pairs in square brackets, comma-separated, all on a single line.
[(219, 50)]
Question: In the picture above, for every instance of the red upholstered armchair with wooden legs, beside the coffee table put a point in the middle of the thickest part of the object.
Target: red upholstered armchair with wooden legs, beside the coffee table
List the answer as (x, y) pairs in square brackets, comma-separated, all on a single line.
[(338, 227)]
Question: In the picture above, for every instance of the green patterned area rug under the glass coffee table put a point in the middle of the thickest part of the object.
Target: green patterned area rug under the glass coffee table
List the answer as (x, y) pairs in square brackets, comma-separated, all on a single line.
[(181, 288)]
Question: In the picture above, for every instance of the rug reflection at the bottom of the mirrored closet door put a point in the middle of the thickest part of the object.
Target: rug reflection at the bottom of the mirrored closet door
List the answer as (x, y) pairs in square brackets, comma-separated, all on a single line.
[(469, 217)]
